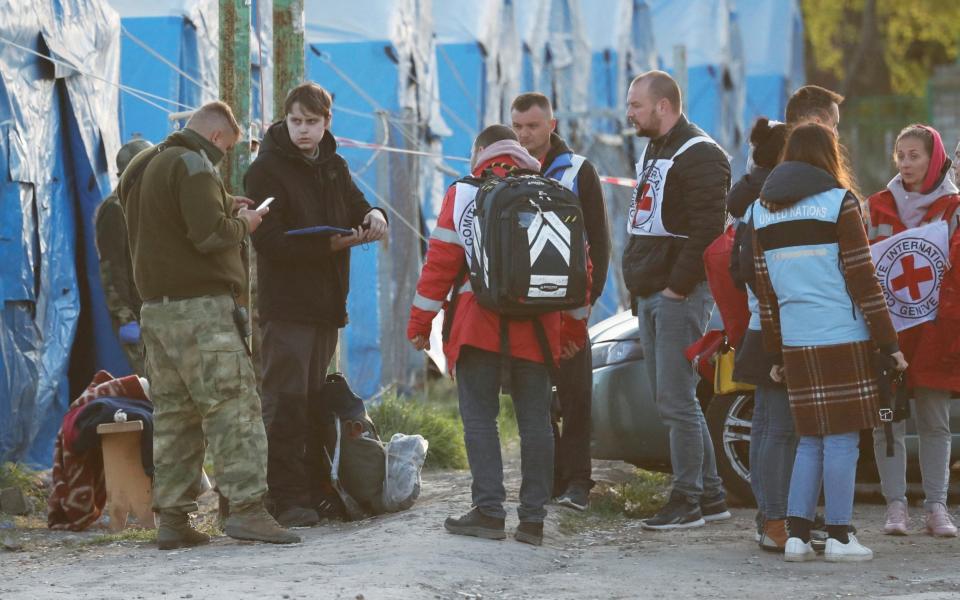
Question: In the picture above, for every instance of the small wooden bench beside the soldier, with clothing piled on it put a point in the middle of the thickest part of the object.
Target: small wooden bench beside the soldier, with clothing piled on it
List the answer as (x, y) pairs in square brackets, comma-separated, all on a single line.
[(129, 490)]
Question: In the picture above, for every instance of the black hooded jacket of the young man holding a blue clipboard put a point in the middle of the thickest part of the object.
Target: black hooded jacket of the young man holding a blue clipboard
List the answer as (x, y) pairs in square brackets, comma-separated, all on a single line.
[(298, 277)]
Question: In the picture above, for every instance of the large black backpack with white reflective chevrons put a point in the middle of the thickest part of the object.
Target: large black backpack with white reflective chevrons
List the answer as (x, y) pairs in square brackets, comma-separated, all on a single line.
[(529, 246)]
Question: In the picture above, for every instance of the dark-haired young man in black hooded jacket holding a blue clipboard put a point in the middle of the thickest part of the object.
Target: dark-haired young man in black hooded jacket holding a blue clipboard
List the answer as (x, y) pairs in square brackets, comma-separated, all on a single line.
[(303, 280)]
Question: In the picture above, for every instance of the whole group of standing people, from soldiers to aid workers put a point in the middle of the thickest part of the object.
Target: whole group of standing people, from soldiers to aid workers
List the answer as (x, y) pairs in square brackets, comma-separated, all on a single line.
[(819, 316)]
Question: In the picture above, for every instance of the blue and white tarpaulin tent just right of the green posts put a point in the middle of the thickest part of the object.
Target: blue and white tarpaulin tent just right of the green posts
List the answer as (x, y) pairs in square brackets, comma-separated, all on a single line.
[(379, 62)]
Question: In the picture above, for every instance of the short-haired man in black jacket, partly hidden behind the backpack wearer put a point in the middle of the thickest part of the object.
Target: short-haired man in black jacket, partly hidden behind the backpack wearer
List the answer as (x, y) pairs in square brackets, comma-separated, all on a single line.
[(532, 119)]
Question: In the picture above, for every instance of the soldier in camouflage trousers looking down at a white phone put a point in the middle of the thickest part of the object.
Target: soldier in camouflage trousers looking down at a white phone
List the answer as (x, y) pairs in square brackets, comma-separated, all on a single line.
[(186, 235)]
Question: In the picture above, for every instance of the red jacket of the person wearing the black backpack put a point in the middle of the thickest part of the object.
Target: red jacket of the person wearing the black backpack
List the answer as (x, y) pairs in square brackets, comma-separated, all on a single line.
[(472, 324)]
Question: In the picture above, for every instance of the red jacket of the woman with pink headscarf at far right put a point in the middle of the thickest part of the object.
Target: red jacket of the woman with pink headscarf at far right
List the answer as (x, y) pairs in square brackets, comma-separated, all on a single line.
[(933, 348)]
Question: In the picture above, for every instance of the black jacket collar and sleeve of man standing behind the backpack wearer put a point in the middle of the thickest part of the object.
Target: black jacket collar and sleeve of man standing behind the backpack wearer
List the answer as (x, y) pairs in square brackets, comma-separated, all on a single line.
[(594, 214)]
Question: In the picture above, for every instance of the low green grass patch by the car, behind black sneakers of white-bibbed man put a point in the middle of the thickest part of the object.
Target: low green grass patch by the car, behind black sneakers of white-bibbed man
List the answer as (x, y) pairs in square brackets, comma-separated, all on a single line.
[(638, 497)]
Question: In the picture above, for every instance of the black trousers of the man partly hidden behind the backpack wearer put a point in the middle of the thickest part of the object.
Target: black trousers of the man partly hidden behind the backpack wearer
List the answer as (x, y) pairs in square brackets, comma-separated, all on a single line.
[(572, 433)]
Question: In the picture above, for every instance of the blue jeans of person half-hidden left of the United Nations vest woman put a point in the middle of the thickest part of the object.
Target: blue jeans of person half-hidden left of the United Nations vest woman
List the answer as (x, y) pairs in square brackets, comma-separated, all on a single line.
[(773, 447)]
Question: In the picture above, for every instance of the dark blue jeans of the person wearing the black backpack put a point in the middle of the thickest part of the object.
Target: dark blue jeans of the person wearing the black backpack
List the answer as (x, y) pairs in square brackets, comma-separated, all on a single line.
[(478, 386)]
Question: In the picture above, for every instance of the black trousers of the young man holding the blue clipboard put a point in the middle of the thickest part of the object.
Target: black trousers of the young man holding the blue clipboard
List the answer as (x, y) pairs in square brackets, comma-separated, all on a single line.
[(295, 357)]
